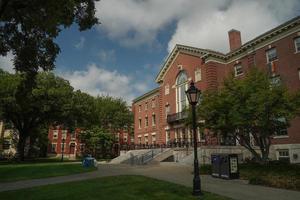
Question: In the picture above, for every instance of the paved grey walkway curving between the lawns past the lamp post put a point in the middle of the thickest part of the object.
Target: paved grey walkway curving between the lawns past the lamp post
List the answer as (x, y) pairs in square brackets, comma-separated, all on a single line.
[(236, 189)]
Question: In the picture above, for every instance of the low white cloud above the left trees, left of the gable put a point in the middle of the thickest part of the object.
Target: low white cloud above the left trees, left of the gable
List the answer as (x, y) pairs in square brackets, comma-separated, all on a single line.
[(99, 81)]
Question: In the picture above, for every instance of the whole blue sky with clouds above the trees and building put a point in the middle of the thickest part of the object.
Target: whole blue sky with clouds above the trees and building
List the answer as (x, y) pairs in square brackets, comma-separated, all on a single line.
[(122, 56)]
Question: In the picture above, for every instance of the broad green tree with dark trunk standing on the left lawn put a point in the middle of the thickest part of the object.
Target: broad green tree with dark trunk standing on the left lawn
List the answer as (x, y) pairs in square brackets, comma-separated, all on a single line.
[(49, 102)]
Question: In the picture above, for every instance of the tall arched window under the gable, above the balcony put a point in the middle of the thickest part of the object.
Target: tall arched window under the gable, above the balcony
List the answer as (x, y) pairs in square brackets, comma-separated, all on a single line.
[(181, 87)]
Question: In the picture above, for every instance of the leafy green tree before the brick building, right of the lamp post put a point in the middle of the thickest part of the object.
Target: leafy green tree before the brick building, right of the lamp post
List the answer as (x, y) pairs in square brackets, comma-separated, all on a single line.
[(250, 106)]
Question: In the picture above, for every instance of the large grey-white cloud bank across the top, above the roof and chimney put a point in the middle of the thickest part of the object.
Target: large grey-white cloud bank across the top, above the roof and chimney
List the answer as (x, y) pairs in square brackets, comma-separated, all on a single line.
[(198, 23)]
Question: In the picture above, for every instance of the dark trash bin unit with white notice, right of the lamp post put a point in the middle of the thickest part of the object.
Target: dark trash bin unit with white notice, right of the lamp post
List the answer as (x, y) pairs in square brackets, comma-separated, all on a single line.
[(225, 166)]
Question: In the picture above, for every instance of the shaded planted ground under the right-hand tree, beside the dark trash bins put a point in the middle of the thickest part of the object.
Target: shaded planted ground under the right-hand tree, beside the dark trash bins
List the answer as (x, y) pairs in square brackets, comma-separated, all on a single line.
[(279, 175)]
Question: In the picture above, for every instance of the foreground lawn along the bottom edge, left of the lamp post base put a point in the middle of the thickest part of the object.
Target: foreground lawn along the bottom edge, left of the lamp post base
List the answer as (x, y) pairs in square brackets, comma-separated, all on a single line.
[(115, 188)]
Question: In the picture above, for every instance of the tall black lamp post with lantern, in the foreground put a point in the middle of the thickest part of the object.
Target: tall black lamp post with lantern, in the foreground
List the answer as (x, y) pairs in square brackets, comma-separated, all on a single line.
[(193, 95)]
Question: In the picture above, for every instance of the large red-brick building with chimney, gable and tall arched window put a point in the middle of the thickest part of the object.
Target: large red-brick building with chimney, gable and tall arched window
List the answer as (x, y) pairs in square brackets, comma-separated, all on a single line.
[(158, 114)]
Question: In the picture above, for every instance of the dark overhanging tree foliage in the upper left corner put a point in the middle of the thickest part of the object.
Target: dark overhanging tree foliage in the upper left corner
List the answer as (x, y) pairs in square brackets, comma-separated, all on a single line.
[(28, 29)]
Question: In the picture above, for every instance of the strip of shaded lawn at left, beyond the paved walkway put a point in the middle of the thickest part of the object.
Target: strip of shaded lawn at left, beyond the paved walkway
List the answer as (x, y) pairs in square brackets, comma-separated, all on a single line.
[(14, 172)]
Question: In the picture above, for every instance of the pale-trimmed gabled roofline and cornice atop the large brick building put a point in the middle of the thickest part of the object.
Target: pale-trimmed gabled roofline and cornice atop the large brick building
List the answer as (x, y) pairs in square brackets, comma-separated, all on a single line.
[(225, 58)]
